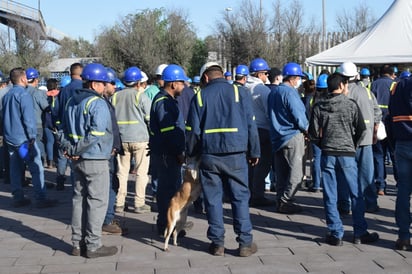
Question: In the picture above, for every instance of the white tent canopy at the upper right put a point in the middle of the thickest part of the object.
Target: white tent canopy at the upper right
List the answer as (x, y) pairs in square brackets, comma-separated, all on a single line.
[(388, 41)]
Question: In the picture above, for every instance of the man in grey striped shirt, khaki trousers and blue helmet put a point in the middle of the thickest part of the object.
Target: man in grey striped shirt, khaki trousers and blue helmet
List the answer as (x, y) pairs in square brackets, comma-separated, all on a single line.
[(132, 112)]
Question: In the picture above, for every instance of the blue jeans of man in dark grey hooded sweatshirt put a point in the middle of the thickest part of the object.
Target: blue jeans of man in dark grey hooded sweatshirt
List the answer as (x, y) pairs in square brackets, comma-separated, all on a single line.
[(338, 170)]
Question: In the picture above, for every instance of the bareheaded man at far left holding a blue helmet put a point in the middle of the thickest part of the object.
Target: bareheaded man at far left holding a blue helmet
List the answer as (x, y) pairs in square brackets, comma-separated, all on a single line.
[(20, 130)]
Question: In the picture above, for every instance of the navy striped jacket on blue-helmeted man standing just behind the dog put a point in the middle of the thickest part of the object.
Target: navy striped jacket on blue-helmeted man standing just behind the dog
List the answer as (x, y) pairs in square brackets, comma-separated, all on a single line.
[(167, 127)]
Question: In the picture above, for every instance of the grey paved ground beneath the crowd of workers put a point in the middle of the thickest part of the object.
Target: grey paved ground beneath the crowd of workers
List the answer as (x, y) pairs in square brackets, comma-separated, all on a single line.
[(38, 241)]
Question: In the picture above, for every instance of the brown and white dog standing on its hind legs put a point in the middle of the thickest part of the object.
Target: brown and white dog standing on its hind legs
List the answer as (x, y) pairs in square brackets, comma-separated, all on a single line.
[(177, 212)]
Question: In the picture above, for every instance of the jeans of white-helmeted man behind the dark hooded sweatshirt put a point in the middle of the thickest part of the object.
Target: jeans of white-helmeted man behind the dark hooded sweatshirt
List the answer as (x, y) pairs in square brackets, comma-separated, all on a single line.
[(364, 160)]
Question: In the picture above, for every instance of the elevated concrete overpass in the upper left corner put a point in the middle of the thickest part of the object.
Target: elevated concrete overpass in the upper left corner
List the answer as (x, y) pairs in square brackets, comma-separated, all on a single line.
[(13, 13)]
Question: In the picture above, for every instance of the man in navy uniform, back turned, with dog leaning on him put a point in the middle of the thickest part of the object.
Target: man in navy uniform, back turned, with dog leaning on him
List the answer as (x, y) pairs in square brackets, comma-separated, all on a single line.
[(221, 131)]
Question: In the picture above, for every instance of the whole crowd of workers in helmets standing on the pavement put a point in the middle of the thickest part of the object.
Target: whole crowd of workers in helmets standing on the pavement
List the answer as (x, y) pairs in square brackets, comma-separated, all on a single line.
[(250, 133)]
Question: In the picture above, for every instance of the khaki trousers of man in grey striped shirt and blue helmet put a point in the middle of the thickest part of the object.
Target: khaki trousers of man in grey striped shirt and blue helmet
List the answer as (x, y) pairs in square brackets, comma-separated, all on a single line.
[(138, 151)]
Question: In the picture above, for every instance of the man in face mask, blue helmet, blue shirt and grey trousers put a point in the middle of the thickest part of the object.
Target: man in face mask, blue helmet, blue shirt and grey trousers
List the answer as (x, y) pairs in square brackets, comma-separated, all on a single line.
[(289, 125)]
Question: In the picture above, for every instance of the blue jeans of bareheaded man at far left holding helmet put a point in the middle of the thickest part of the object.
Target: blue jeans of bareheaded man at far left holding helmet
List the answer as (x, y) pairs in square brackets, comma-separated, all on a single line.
[(17, 167)]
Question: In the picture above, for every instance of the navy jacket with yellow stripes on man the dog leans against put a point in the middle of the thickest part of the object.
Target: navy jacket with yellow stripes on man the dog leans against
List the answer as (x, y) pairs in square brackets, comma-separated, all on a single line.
[(221, 121)]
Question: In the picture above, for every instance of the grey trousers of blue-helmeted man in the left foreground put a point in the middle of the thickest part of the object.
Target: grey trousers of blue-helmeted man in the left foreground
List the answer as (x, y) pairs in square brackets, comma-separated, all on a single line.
[(90, 198)]
